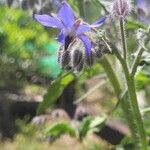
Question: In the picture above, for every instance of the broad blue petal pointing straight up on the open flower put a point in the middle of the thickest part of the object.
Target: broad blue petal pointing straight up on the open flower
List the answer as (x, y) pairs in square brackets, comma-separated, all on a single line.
[(66, 15)]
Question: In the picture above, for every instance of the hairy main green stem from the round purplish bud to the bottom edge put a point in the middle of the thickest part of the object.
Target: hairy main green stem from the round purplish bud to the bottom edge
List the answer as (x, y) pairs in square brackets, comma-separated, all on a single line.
[(132, 92)]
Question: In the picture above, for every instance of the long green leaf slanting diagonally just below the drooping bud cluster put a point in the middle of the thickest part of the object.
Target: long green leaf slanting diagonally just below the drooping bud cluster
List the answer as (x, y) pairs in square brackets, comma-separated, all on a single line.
[(54, 92)]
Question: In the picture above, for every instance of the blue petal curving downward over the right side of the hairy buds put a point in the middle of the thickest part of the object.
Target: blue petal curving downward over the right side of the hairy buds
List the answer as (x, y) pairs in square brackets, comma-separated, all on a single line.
[(87, 44)]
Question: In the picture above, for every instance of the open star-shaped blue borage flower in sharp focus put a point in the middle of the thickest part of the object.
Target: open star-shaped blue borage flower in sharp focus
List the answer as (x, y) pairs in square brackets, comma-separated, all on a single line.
[(70, 27)]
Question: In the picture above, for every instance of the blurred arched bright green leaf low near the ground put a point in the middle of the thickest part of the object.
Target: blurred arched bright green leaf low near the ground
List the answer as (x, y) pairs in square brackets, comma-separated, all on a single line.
[(59, 128)]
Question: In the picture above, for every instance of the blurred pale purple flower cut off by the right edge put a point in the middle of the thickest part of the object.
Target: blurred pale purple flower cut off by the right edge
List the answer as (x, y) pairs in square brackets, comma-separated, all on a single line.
[(143, 11)]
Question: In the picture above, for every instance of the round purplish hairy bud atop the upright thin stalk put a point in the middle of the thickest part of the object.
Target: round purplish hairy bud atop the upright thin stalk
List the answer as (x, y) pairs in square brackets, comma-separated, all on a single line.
[(121, 8)]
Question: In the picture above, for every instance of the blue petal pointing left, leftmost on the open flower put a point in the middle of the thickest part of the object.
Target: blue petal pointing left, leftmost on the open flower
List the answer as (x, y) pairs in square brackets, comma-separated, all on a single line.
[(49, 21)]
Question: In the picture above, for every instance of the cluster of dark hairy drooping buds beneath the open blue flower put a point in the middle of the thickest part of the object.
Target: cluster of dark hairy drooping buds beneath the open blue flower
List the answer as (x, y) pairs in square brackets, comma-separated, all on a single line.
[(75, 57)]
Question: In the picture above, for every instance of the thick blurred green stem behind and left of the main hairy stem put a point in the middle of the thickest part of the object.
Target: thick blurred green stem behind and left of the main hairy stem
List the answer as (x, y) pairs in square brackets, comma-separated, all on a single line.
[(124, 100)]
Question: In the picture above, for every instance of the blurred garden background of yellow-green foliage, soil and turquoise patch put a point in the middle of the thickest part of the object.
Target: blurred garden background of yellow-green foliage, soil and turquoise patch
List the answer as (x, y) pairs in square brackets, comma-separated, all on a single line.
[(28, 65)]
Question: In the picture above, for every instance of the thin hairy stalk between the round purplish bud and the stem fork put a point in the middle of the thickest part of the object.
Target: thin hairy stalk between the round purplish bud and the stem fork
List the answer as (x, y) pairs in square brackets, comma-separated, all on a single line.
[(124, 43)]
